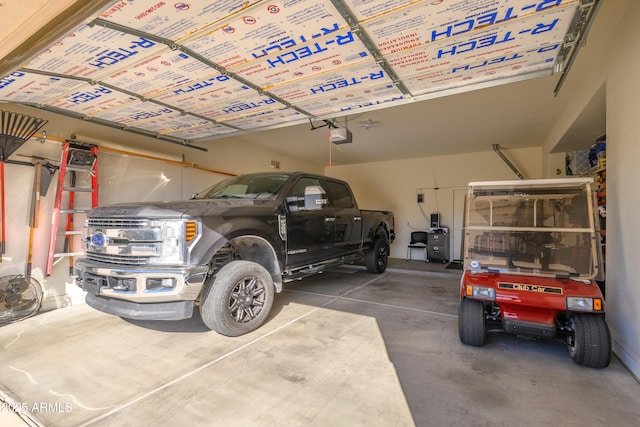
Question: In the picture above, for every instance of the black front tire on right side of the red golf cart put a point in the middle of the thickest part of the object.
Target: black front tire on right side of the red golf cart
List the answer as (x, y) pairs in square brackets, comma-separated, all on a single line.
[(589, 342)]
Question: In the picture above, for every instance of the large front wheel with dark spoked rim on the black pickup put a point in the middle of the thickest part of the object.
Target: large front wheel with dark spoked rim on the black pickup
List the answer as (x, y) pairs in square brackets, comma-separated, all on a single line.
[(239, 299)]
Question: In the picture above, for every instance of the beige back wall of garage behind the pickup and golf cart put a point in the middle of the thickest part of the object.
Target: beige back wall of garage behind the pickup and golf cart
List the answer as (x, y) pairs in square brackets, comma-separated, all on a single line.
[(393, 186)]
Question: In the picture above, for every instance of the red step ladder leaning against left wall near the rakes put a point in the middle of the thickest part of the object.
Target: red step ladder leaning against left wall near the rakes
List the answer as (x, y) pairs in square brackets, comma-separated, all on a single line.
[(78, 158)]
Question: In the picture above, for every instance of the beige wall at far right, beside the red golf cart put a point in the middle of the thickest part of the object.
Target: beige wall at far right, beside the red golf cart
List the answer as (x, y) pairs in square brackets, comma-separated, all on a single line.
[(623, 179)]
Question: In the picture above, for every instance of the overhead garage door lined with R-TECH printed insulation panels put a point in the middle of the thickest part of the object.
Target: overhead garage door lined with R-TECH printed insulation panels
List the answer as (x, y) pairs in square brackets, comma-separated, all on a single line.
[(188, 72)]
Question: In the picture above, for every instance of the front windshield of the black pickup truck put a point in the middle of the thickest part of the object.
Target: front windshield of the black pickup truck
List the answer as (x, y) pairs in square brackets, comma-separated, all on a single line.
[(245, 187)]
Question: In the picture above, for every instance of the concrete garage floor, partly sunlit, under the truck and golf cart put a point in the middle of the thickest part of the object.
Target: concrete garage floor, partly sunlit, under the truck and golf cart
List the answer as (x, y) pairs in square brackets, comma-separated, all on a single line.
[(345, 348)]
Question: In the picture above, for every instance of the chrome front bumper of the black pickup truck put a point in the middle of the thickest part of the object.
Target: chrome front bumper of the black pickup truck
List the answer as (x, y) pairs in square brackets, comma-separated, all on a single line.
[(166, 293)]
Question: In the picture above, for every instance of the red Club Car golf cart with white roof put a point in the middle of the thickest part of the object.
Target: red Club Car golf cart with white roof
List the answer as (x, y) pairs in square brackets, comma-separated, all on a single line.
[(531, 259)]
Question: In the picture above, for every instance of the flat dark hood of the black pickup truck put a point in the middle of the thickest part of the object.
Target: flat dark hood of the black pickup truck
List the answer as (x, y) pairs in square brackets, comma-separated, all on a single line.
[(180, 208)]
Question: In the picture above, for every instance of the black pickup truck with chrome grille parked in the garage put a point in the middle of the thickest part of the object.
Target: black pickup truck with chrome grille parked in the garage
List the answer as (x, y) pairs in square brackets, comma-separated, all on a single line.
[(229, 249)]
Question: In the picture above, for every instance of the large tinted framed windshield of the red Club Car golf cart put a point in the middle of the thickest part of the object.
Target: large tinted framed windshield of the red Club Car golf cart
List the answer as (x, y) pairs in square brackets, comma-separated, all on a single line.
[(534, 227)]
